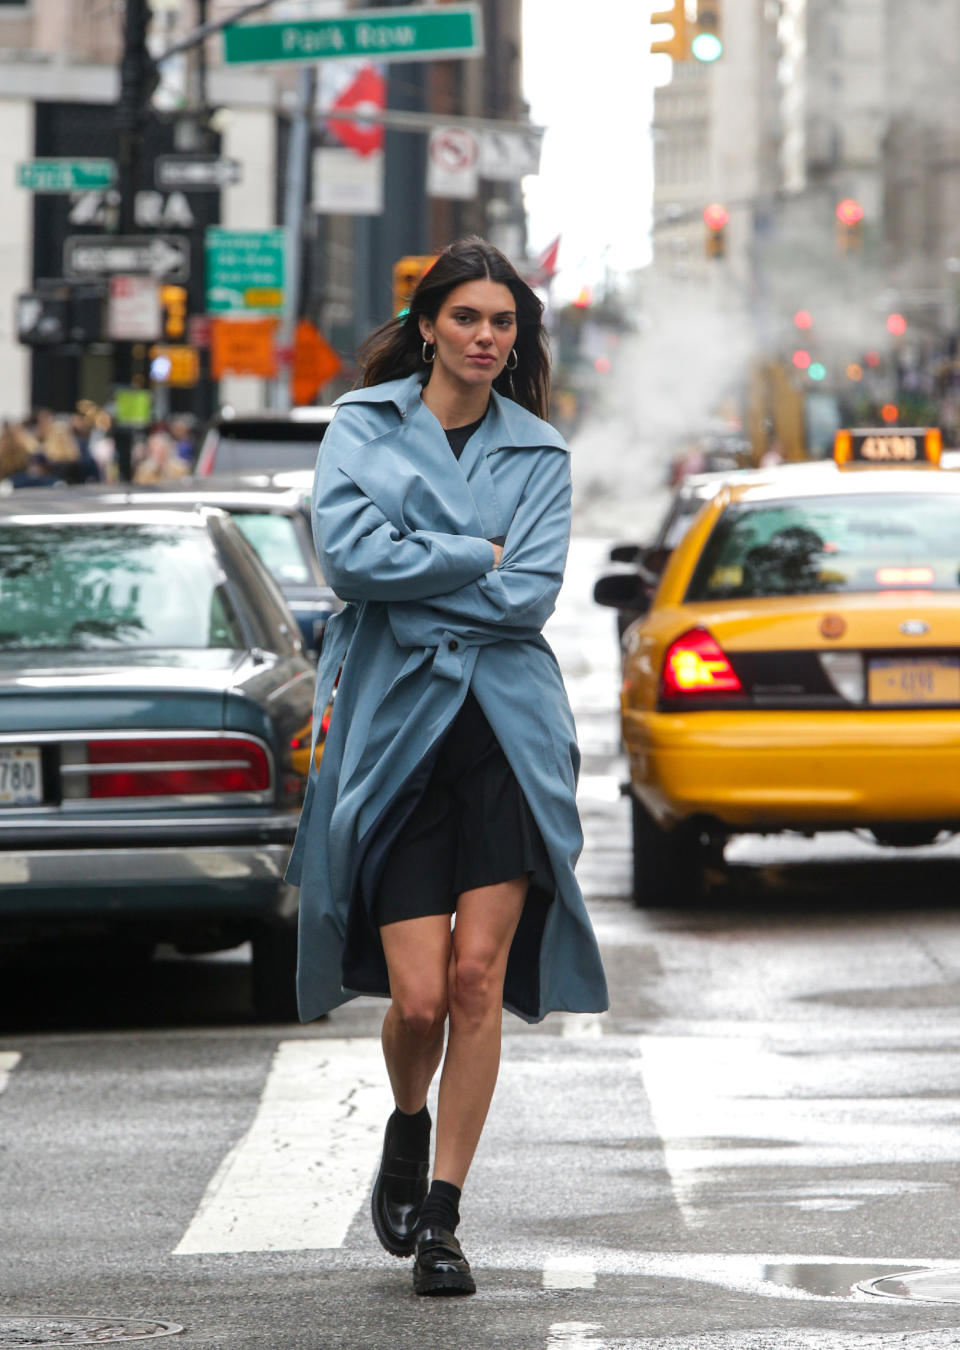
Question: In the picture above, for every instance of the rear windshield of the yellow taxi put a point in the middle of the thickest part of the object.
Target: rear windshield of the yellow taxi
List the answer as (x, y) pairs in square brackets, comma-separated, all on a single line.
[(830, 546)]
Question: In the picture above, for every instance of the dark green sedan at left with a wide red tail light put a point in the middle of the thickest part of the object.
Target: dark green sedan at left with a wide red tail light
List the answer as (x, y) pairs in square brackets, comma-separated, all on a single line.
[(153, 696)]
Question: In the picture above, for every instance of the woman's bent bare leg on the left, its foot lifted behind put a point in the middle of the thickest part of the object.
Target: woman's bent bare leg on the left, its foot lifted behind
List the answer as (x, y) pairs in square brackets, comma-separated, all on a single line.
[(418, 959)]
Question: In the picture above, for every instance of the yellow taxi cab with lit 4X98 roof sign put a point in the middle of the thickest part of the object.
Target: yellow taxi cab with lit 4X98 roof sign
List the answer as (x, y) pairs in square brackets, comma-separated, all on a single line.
[(799, 668)]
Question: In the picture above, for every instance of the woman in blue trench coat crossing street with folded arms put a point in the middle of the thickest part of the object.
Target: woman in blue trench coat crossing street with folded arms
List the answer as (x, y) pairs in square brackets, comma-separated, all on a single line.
[(448, 785)]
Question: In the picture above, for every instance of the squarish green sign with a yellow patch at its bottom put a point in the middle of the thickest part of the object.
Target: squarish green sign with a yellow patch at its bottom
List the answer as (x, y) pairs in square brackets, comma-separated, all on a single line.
[(245, 271)]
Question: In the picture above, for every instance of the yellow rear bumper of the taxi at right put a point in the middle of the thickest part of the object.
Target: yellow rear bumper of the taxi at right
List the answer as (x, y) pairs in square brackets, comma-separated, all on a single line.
[(793, 770)]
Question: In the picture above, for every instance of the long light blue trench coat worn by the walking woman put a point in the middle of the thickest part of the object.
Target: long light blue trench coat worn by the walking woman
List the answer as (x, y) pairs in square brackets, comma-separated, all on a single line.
[(403, 533)]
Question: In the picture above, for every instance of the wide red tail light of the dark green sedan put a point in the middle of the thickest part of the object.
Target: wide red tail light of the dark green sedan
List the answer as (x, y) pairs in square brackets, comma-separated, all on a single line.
[(175, 767)]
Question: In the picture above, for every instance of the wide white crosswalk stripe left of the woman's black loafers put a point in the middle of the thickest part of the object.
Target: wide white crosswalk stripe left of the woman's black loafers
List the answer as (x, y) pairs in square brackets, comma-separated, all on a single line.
[(302, 1172)]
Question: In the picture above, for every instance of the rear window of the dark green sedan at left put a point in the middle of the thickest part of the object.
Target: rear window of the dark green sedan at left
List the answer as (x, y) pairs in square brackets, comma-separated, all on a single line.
[(84, 587)]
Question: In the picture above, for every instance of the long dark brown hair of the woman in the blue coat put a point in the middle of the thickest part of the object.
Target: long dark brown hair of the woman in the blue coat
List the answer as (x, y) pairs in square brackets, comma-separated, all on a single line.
[(395, 349)]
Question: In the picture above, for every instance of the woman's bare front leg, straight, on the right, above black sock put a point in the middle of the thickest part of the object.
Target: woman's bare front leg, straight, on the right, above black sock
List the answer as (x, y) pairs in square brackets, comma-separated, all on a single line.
[(487, 921)]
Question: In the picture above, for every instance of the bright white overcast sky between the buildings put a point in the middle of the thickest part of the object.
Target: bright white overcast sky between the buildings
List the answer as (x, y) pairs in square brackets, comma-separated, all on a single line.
[(588, 80)]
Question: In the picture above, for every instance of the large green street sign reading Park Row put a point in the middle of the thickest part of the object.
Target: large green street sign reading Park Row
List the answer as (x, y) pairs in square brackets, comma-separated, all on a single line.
[(407, 34)]
